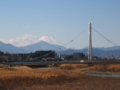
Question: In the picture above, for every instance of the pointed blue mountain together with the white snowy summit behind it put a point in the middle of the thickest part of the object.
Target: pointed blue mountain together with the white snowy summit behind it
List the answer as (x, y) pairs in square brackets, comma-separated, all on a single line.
[(45, 43)]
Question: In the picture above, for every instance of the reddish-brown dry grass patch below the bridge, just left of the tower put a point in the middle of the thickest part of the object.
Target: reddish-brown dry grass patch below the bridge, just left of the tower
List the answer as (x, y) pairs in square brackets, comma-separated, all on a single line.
[(72, 66)]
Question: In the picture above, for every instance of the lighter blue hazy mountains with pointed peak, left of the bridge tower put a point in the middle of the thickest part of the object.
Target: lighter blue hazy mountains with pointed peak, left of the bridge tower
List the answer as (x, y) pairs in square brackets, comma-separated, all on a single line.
[(30, 48)]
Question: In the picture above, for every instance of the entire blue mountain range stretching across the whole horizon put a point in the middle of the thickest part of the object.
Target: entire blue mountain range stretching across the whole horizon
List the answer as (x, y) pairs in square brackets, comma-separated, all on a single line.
[(42, 45)]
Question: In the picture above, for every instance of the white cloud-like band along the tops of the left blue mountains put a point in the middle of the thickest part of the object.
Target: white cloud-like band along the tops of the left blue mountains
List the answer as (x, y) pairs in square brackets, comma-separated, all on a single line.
[(29, 39)]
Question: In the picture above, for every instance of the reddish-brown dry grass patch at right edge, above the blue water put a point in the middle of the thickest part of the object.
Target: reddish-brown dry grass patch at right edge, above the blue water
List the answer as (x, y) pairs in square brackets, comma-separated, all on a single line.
[(111, 68)]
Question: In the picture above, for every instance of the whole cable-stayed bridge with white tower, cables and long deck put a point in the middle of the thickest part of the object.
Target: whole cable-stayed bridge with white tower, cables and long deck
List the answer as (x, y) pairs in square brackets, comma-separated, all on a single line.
[(89, 61)]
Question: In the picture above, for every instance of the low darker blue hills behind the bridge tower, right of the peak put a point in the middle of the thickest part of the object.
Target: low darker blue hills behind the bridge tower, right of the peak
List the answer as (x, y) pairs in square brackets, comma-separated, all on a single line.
[(108, 53)]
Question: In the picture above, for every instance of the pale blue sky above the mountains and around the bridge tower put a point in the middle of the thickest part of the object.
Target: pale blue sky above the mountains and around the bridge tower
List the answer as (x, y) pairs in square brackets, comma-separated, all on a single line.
[(26, 21)]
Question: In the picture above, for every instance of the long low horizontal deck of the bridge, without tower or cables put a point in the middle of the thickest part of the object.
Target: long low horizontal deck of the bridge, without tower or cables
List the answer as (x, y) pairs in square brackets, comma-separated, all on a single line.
[(60, 62)]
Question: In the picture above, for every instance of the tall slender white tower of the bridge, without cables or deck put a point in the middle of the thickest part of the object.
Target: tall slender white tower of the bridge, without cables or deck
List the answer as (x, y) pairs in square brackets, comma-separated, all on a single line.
[(90, 43)]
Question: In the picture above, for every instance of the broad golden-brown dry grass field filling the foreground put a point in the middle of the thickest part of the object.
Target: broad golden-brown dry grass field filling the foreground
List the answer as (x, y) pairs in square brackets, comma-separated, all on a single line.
[(24, 78)]
